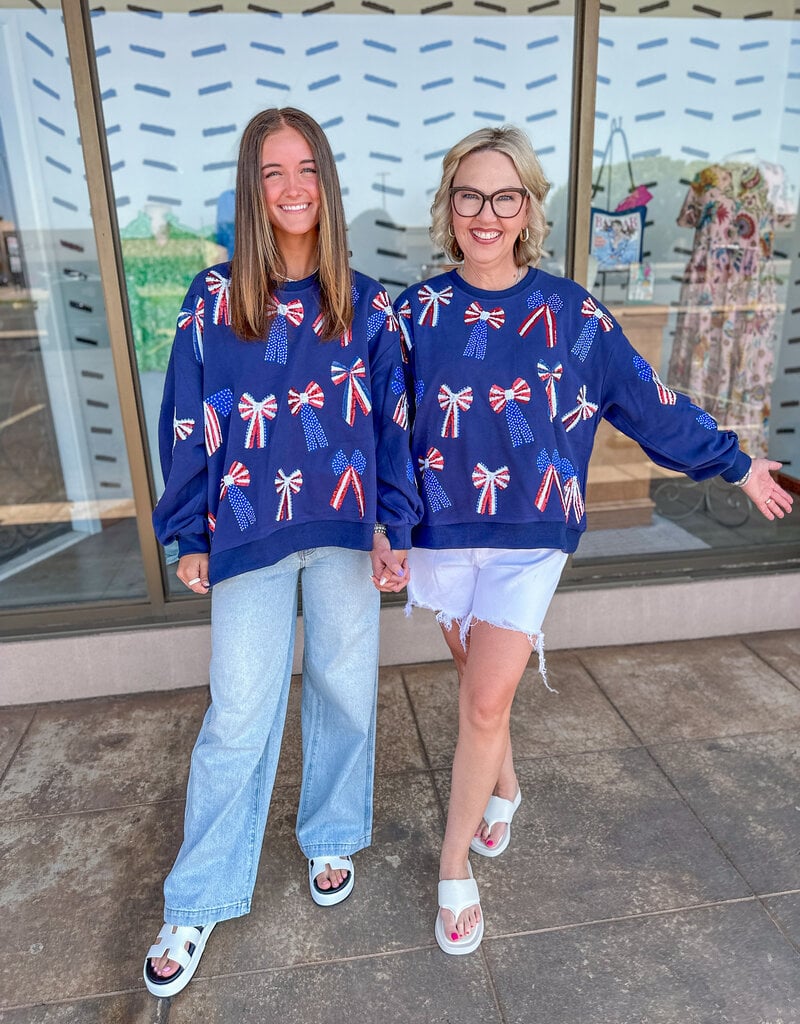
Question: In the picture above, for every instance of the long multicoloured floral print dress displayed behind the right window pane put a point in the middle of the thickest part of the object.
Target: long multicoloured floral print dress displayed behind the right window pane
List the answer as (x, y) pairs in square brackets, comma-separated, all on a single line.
[(725, 350)]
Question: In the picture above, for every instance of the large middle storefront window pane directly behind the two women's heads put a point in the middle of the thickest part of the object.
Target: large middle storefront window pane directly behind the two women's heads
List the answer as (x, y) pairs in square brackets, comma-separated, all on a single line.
[(393, 92)]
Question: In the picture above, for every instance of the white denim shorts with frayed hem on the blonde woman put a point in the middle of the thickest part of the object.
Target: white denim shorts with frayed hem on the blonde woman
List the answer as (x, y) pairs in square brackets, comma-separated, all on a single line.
[(511, 588)]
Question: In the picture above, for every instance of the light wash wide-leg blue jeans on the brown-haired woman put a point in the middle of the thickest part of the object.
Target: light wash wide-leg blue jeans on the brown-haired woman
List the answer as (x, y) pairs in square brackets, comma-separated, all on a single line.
[(236, 755)]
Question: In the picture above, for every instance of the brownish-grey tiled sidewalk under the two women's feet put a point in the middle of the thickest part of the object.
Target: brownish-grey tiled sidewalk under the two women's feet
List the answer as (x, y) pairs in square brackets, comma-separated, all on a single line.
[(654, 875)]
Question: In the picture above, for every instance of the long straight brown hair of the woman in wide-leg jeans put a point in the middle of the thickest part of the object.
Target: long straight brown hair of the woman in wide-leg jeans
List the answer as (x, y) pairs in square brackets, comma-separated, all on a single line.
[(259, 268)]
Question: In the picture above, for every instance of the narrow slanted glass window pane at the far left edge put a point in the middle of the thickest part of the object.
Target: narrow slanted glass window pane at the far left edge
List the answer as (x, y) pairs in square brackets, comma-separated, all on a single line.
[(68, 529)]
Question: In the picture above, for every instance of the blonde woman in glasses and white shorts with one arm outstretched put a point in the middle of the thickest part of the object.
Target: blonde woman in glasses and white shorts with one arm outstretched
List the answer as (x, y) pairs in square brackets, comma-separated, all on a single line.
[(513, 370)]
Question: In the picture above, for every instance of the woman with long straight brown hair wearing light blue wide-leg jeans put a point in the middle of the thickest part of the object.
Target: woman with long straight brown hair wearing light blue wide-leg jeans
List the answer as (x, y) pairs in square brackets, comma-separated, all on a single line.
[(284, 447)]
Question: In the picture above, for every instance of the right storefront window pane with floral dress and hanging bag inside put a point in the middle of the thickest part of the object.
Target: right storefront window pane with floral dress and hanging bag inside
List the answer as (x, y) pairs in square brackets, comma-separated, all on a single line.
[(696, 249)]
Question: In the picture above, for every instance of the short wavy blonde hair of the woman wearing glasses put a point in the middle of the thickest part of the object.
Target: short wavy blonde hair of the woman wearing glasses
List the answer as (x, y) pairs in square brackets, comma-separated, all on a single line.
[(517, 146)]
